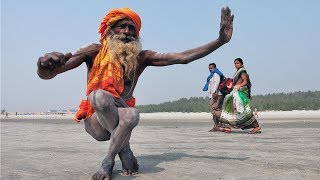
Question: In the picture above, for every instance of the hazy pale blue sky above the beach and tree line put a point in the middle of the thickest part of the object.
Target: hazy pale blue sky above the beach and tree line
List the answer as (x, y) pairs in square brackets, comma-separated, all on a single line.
[(277, 39)]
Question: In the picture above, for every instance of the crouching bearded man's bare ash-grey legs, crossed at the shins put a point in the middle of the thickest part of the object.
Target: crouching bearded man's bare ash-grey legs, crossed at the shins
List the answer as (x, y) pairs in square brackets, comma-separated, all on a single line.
[(120, 122)]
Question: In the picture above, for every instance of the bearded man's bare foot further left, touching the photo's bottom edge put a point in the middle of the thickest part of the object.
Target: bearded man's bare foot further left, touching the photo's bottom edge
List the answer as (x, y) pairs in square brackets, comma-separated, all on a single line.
[(105, 172)]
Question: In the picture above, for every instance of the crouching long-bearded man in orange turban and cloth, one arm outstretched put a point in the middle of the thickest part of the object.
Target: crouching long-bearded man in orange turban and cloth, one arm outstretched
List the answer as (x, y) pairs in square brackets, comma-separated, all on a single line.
[(114, 67)]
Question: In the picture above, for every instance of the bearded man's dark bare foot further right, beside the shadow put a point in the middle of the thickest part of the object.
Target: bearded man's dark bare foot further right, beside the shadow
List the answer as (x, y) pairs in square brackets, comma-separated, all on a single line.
[(129, 162)]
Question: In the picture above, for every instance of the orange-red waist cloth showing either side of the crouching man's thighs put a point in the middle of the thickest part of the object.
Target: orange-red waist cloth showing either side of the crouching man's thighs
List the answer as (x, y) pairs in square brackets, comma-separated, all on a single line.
[(86, 110)]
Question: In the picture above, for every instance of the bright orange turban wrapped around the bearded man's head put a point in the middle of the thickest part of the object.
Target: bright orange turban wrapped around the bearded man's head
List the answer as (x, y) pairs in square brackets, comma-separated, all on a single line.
[(115, 15)]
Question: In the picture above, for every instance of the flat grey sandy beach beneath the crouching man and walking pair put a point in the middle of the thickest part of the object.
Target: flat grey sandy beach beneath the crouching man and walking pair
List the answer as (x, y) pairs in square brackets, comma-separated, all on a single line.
[(167, 146)]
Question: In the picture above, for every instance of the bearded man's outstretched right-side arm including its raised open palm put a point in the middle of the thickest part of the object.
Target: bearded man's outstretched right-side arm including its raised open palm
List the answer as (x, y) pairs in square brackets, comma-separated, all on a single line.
[(163, 59)]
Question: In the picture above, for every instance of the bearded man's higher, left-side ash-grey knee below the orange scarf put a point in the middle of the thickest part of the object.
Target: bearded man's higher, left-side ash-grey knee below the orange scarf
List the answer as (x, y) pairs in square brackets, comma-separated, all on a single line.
[(101, 100)]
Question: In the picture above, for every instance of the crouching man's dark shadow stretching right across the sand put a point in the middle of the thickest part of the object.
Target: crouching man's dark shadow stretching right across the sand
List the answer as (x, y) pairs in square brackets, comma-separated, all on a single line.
[(148, 163)]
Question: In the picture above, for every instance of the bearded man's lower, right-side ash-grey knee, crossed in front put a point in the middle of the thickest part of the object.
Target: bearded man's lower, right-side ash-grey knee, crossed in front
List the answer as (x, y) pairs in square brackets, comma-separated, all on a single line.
[(129, 117)]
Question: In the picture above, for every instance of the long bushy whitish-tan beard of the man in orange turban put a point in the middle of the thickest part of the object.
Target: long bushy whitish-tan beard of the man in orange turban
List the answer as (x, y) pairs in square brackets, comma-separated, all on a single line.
[(127, 53)]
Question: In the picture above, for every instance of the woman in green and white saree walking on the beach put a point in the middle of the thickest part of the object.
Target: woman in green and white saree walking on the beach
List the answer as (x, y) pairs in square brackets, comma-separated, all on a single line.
[(236, 110)]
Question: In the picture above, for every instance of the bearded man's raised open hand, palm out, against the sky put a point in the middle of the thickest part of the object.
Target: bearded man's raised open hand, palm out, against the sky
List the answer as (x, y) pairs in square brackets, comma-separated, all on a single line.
[(226, 25)]
